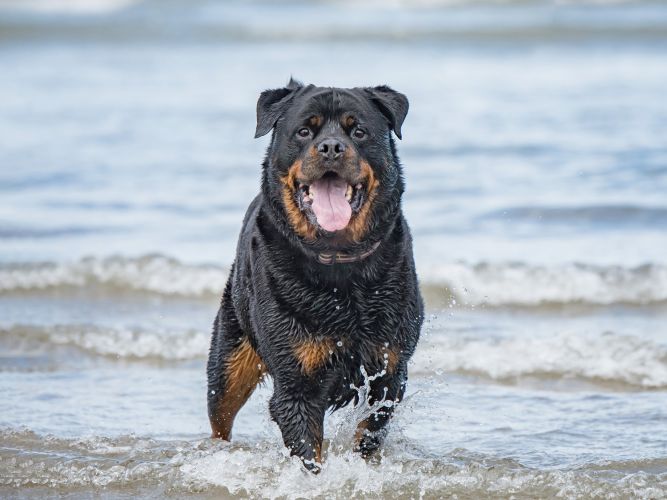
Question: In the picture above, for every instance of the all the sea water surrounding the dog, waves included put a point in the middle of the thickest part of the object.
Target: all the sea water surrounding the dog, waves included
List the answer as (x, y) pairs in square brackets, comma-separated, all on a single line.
[(535, 159)]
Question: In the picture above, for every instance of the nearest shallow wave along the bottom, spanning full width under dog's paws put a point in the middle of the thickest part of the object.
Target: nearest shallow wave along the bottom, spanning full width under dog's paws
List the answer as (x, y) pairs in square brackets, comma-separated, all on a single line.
[(136, 466)]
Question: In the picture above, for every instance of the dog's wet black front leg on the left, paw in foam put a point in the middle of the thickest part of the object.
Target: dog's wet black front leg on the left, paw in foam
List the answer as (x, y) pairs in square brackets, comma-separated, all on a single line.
[(298, 406)]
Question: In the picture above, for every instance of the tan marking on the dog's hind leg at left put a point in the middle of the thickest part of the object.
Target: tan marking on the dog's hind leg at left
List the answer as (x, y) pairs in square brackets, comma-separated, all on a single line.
[(243, 370)]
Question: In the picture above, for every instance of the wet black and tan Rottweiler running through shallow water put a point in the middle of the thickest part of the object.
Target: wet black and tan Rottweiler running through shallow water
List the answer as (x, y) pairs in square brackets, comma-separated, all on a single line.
[(324, 279)]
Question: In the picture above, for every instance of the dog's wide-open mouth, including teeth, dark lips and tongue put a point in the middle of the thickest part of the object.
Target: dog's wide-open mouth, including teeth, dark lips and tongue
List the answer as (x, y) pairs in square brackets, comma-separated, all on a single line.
[(330, 201)]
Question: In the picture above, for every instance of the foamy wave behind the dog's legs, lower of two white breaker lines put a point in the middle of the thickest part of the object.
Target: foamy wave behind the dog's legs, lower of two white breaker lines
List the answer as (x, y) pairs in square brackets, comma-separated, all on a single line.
[(608, 359)]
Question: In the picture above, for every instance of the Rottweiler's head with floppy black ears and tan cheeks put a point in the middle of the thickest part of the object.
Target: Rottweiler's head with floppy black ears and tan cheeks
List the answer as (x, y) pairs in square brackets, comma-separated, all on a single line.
[(331, 168)]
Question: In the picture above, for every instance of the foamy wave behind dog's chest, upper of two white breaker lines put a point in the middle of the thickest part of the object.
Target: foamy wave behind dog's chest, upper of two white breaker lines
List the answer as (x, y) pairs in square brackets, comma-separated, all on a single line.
[(456, 283)]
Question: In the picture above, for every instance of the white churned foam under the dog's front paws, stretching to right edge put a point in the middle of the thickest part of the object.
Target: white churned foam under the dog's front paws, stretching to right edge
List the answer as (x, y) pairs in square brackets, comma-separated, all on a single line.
[(269, 474)]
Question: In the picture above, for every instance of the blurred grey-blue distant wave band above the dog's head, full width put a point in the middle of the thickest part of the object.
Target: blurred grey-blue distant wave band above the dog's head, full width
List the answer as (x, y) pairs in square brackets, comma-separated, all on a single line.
[(133, 32)]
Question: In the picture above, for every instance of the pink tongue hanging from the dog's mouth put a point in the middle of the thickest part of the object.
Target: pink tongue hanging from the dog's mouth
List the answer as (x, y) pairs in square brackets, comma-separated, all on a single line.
[(332, 210)]
